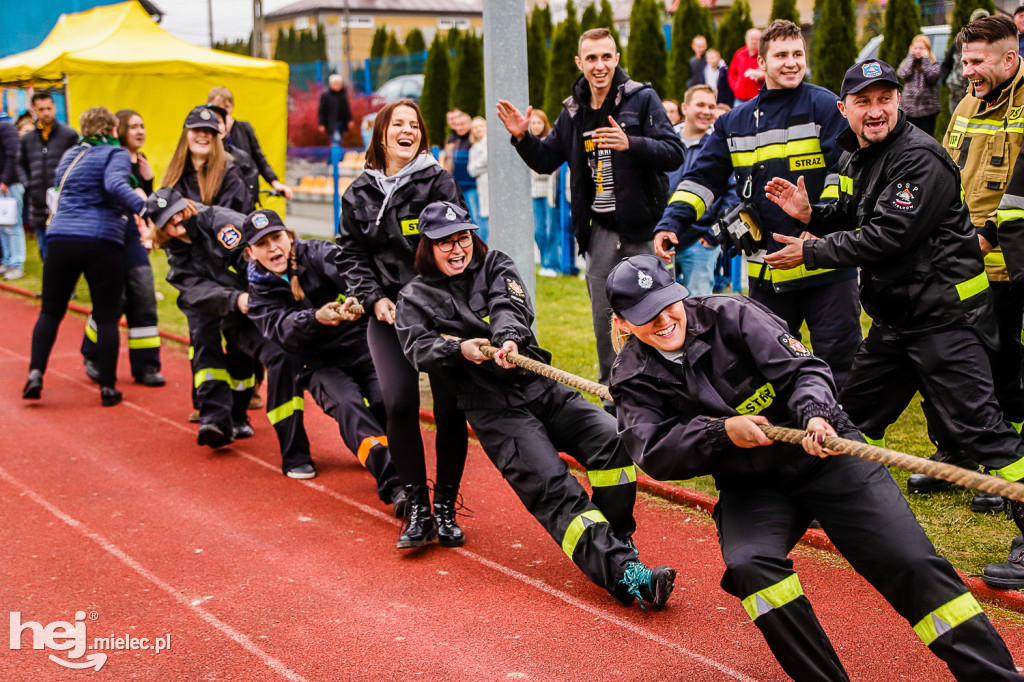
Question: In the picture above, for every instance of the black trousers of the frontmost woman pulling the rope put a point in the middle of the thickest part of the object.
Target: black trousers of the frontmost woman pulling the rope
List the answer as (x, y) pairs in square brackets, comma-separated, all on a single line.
[(865, 515)]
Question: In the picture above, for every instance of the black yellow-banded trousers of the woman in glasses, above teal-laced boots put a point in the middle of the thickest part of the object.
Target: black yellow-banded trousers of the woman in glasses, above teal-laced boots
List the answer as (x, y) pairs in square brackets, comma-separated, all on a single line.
[(524, 443)]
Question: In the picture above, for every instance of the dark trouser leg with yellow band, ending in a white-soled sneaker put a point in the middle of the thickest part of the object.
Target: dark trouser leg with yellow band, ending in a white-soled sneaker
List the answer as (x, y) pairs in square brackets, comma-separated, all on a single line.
[(284, 395)]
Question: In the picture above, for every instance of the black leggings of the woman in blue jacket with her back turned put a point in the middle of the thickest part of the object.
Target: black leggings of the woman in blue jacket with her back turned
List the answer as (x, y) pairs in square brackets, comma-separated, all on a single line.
[(104, 267)]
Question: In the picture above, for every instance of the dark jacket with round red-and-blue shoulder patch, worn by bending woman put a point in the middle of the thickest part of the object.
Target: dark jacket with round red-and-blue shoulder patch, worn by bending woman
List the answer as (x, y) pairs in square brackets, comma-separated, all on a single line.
[(210, 272)]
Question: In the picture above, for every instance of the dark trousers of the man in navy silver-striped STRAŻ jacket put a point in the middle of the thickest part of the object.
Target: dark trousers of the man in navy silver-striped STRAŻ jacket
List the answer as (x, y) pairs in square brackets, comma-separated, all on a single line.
[(833, 316)]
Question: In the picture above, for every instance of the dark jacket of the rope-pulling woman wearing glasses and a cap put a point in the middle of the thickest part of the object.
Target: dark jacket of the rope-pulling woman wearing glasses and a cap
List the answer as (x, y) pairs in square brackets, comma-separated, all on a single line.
[(487, 302)]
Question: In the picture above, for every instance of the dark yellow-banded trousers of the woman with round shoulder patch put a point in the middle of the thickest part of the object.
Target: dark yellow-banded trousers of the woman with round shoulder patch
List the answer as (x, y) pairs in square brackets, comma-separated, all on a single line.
[(223, 373)]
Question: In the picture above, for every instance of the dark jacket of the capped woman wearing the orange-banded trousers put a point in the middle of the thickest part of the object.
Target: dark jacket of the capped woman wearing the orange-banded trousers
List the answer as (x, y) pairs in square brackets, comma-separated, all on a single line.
[(292, 325)]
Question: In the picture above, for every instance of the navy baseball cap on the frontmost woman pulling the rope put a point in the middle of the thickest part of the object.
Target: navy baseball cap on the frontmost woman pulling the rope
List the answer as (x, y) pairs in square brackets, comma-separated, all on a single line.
[(641, 287)]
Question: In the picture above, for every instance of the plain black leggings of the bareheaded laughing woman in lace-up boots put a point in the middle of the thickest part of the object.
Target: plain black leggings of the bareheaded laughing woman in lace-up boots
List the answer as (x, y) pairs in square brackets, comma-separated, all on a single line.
[(401, 390)]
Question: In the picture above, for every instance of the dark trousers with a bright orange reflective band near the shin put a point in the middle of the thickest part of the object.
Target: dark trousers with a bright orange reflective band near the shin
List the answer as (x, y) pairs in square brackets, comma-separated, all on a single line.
[(350, 396)]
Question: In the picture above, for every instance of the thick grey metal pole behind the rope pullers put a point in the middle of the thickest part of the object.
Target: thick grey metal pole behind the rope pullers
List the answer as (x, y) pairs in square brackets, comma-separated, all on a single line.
[(511, 222)]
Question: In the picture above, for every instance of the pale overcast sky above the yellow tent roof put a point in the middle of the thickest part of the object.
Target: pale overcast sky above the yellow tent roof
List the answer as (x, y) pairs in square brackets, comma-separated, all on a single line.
[(232, 19)]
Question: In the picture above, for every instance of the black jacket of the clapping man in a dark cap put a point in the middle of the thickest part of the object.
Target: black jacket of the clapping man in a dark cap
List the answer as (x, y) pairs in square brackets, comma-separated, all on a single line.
[(901, 218)]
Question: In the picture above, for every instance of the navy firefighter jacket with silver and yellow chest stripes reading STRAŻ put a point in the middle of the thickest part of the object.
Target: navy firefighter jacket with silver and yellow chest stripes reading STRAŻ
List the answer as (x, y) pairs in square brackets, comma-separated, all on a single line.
[(780, 134)]
